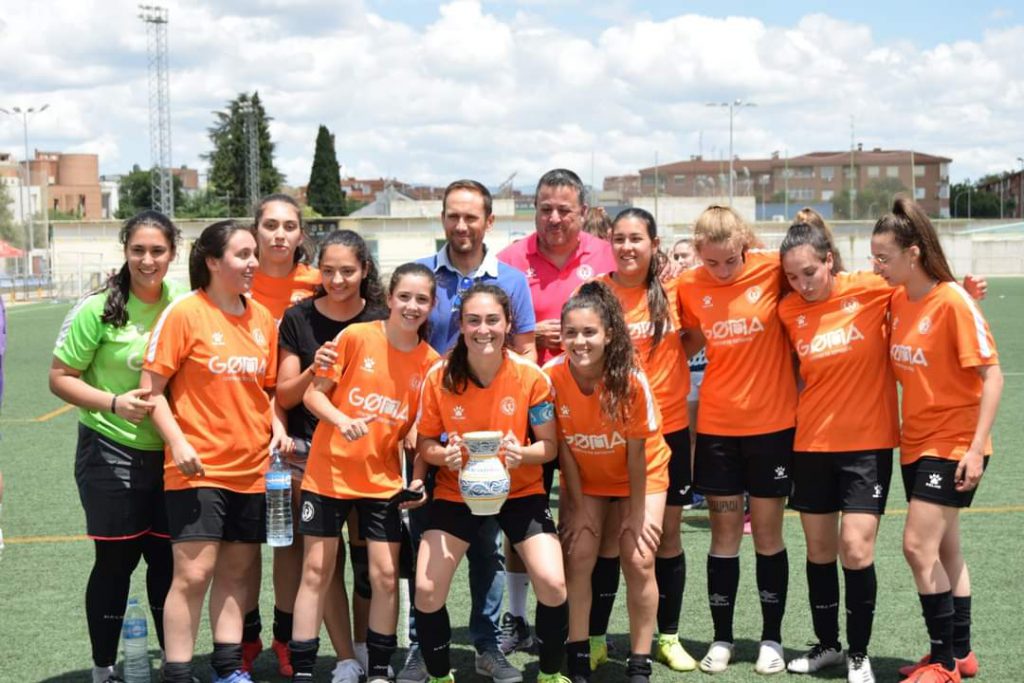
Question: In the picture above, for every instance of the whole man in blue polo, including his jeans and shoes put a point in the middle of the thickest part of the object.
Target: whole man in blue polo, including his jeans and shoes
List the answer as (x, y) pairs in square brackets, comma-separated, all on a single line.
[(463, 262)]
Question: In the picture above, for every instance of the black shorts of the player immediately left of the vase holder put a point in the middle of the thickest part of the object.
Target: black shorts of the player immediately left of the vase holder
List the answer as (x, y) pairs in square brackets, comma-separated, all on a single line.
[(324, 517)]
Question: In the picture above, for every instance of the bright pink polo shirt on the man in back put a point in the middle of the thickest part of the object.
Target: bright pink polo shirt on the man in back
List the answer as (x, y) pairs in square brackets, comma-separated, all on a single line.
[(551, 287)]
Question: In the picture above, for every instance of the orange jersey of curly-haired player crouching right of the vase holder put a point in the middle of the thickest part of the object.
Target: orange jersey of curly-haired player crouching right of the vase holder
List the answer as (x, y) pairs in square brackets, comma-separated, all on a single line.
[(599, 445)]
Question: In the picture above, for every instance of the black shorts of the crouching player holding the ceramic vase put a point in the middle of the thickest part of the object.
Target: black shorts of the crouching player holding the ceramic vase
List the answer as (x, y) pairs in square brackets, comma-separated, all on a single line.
[(520, 519)]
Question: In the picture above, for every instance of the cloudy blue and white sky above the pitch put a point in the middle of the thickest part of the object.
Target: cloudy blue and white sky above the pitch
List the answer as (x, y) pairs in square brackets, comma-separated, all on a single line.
[(429, 93)]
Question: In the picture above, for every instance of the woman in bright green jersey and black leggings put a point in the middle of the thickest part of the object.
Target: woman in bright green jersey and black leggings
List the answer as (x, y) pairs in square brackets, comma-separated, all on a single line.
[(119, 463)]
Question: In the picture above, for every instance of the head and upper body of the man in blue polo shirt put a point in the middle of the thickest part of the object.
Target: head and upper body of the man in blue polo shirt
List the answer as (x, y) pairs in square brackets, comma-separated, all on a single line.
[(464, 261)]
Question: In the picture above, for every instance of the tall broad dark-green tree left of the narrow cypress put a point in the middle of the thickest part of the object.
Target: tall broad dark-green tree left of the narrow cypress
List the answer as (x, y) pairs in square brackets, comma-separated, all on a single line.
[(229, 161)]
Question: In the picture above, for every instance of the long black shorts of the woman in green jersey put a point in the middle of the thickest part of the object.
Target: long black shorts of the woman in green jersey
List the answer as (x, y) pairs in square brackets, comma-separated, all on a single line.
[(121, 488)]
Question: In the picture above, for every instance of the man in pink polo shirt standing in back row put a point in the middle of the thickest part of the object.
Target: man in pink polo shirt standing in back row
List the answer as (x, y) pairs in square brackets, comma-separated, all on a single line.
[(560, 257)]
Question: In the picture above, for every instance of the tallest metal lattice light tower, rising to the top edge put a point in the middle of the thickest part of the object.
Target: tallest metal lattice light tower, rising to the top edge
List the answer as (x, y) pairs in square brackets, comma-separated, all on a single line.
[(160, 108)]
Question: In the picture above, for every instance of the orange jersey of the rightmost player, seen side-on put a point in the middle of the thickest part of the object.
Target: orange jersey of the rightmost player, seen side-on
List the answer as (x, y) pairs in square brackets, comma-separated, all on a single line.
[(937, 346)]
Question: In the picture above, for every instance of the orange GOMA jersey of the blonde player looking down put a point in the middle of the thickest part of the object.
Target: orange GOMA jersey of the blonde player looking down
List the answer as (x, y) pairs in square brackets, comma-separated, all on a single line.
[(749, 387)]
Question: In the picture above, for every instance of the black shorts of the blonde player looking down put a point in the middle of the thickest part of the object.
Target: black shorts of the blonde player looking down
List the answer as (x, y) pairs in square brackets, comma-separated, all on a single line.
[(731, 465)]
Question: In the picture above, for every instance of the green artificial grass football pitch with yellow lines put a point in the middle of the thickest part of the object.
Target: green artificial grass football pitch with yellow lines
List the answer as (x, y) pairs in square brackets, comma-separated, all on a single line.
[(48, 561)]
